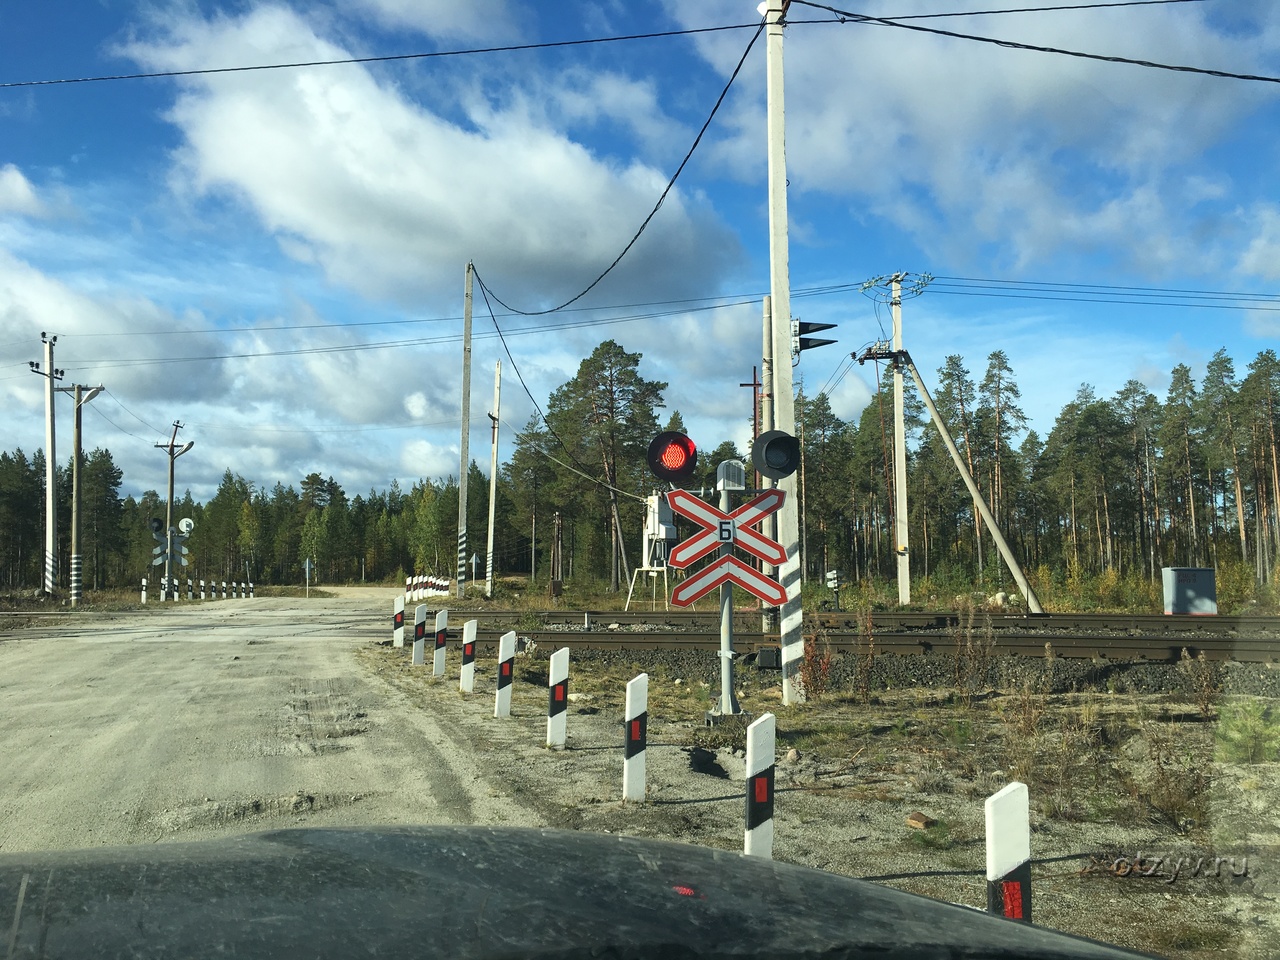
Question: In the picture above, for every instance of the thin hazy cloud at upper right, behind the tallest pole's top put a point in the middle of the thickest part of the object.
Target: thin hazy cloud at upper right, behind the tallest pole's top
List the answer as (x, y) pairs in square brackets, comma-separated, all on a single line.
[(1032, 154)]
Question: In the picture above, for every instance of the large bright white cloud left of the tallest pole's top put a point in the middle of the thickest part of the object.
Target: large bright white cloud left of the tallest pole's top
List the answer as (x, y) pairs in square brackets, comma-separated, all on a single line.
[(391, 199)]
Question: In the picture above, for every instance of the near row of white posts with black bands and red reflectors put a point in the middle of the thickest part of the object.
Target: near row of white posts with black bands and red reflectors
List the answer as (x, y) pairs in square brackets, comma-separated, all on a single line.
[(1008, 812)]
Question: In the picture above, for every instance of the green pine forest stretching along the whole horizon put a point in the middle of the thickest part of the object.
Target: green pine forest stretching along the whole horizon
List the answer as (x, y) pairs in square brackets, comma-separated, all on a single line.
[(1119, 488)]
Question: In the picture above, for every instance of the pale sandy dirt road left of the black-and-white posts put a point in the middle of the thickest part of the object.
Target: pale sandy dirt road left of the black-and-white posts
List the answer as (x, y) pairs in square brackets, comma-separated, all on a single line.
[(216, 719)]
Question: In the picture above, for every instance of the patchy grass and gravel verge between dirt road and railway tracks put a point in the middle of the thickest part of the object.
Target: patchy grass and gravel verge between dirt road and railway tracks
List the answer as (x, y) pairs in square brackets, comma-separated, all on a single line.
[(862, 767)]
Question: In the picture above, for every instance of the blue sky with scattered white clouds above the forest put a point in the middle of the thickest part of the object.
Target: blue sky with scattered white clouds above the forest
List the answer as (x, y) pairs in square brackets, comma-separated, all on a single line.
[(236, 250)]
